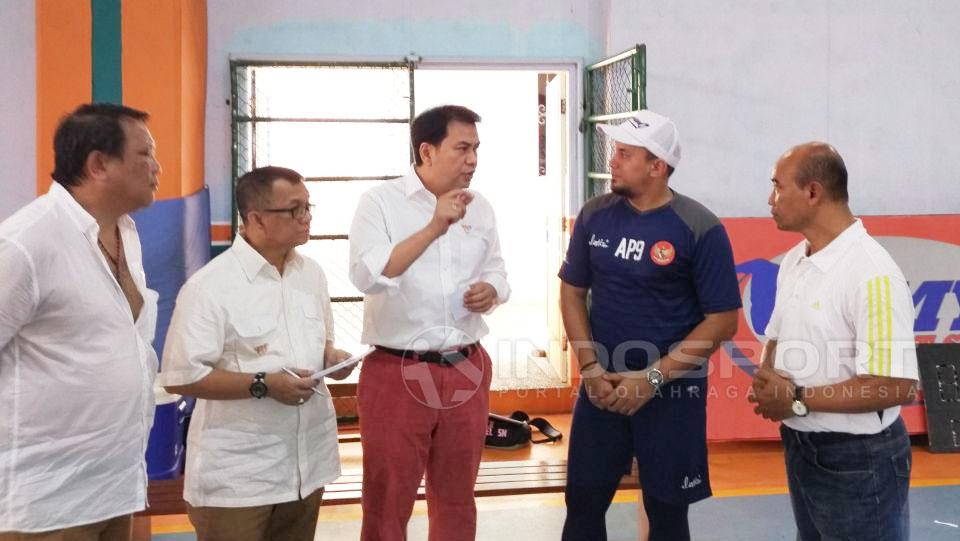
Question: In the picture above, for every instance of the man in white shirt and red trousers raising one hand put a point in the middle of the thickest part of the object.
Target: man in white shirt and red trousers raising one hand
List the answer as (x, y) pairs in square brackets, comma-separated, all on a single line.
[(425, 252)]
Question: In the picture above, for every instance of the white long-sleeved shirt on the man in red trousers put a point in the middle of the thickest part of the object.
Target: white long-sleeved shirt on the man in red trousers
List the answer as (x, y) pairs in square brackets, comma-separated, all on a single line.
[(417, 310)]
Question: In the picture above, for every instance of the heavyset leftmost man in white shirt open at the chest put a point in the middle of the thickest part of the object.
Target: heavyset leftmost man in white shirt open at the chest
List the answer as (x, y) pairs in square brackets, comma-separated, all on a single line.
[(76, 322)]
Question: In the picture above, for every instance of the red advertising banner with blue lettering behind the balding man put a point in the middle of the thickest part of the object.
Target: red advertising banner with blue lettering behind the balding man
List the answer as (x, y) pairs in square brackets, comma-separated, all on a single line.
[(927, 248)]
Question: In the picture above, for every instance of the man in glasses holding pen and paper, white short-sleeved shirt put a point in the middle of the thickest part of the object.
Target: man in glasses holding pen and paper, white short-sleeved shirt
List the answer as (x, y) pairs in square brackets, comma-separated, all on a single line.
[(262, 443)]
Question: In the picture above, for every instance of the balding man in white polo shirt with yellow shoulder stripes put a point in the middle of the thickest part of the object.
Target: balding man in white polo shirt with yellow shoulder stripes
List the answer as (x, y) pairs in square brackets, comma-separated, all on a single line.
[(839, 361)]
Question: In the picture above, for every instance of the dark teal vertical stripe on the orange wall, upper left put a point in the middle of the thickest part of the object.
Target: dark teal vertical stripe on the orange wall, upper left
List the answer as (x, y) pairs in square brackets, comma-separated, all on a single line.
[(105, 51)]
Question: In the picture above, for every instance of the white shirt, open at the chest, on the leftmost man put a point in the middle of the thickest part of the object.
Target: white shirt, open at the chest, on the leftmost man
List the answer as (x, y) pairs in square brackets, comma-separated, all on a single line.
[(76, 371)]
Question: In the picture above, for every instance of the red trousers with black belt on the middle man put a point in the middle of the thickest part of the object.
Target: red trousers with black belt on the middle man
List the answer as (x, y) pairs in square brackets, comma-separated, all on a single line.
[(418, 418)]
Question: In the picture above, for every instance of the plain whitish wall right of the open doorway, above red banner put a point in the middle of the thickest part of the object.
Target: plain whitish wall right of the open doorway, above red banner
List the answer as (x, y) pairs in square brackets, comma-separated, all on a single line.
[(745, 80)]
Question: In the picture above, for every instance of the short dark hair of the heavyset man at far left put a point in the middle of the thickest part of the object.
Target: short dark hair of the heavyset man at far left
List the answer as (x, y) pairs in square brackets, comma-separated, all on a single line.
[(90, 127)]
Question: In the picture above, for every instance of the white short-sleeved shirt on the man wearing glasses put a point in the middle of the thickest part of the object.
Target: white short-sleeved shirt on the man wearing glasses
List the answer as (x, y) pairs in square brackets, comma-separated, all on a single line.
[(239, 314)]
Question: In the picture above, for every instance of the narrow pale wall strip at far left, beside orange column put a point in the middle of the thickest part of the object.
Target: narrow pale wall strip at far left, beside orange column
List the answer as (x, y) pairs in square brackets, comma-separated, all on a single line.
[(18, 165)]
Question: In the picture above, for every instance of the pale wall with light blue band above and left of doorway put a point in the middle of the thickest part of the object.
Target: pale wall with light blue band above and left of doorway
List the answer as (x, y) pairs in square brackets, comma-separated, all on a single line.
[(381, 30)]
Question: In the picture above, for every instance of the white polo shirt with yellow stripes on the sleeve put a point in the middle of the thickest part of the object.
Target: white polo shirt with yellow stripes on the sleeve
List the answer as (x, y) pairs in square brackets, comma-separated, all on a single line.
[(843, 312)]
